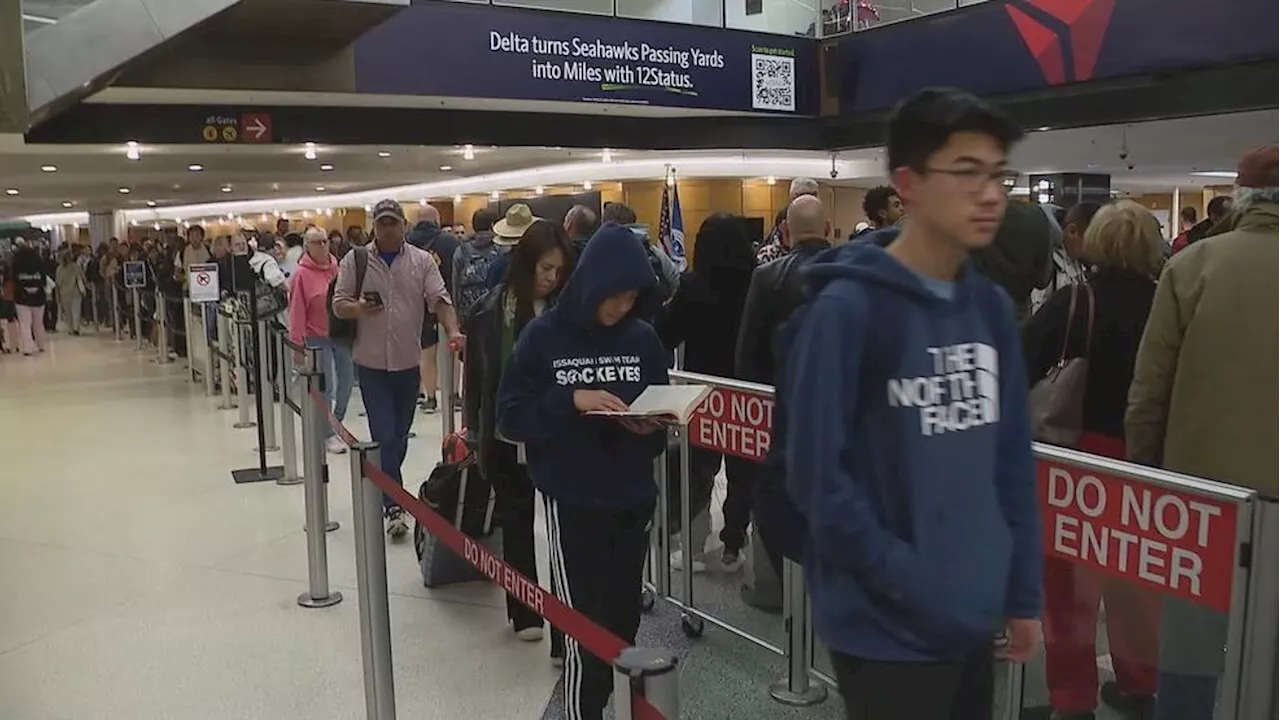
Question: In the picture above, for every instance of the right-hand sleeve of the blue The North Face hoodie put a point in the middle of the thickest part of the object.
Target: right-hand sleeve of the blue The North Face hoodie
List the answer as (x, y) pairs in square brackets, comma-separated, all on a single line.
[(1016, 473)]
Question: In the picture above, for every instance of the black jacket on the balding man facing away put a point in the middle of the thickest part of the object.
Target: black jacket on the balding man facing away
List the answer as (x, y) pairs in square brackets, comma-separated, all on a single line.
[(778, 289)]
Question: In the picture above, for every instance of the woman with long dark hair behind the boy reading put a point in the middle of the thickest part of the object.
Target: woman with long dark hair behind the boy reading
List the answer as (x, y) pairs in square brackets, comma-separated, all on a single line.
[(538, 270)]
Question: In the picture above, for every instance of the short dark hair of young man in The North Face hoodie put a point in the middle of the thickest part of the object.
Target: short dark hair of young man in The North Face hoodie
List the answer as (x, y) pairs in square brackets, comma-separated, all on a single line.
[(924, 124)]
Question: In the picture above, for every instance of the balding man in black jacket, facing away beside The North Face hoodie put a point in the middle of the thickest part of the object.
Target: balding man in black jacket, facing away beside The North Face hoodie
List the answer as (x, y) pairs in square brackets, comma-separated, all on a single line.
[(776, 291)]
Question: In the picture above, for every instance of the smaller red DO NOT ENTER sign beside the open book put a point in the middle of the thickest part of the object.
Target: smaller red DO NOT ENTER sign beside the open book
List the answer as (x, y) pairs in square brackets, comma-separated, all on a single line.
[(734, 422)]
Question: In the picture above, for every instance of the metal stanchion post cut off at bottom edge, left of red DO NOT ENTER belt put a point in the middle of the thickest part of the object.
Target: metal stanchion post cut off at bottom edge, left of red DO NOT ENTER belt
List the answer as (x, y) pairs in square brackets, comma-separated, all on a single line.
[(376, 636)]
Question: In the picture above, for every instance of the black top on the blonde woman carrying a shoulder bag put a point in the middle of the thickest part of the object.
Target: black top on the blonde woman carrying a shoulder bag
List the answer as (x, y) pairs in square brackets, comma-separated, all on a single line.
[(1122, 304)]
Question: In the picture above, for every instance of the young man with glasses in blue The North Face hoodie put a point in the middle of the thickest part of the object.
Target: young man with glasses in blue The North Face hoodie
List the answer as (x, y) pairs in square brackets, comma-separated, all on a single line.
[(908, 446)]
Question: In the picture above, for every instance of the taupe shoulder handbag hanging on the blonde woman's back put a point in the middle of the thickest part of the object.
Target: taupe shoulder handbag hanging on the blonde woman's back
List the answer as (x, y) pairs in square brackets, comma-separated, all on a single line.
[(1058, 400)]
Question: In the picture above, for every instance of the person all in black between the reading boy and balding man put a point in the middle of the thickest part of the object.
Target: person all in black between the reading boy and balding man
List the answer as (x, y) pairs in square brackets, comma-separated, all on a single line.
[(705, 317)]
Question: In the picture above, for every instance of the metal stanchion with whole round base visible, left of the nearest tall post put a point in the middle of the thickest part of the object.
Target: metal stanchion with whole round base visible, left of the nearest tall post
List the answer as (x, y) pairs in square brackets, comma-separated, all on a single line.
[(313, 471)]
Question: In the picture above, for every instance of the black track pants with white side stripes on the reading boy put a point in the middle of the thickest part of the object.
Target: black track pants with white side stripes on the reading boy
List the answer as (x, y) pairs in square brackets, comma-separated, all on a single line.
[(598, 564)]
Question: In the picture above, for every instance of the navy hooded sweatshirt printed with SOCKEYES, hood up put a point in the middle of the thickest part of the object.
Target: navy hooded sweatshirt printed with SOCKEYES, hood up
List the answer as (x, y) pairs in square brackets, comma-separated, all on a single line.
[(573, 458)]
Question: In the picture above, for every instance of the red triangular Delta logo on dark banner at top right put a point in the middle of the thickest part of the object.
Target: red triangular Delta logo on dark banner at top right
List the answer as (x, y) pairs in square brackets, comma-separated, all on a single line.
[(1064, 37)]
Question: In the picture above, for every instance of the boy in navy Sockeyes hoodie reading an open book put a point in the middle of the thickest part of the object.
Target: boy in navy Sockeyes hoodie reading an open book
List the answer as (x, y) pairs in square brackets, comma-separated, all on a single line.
[(596, 475)]
